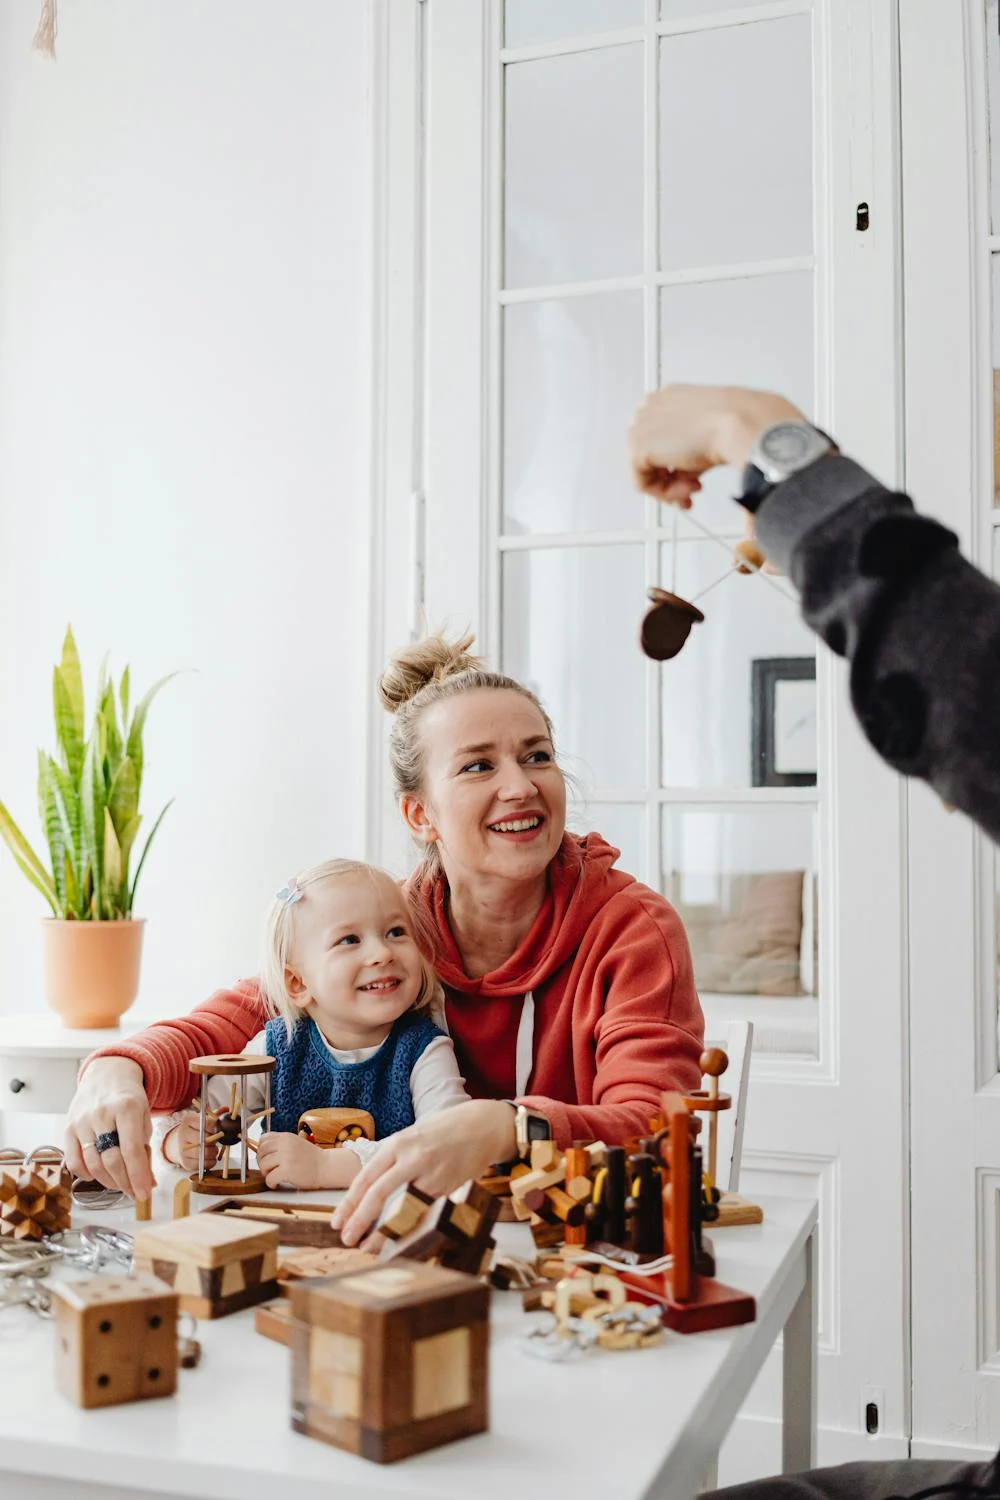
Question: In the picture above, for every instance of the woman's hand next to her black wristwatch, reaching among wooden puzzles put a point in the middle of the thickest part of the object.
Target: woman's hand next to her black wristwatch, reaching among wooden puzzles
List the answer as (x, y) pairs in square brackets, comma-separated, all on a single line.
[(437, 1154)]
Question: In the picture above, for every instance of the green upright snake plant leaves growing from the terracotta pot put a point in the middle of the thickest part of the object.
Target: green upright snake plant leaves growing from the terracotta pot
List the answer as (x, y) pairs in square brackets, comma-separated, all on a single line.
[(89, 799)]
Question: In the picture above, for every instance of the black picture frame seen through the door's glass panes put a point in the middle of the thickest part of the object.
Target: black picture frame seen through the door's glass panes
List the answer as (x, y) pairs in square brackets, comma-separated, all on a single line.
[(783, 743)]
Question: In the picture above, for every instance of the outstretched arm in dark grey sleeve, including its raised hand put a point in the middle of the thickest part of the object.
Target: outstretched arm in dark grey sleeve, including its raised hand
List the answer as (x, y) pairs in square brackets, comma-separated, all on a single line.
[(884, 587)]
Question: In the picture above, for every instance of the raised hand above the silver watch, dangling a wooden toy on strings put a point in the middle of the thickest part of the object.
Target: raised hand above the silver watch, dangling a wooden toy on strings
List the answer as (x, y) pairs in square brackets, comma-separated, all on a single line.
[(681, 431)]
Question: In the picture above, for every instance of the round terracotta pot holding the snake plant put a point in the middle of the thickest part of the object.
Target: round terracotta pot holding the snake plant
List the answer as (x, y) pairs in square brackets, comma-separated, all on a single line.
[(92, 970)]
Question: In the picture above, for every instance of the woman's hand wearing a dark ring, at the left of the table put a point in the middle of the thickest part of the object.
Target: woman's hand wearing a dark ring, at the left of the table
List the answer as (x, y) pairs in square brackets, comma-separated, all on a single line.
[(110, 1097)]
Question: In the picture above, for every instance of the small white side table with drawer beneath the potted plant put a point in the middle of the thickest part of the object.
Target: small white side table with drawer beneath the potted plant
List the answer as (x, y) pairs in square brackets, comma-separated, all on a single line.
[(40, 1060)]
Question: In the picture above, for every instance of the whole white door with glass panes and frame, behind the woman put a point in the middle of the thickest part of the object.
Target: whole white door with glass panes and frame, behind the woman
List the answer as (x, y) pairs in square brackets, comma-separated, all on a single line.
[(614, 194)]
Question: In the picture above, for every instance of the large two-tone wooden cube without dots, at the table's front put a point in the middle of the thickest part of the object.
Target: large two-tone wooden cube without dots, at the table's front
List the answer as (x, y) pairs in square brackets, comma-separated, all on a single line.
[(392, 1361)]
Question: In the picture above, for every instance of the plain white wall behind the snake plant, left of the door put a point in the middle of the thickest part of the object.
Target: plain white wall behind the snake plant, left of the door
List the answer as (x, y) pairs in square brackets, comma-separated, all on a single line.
[(184, 218)]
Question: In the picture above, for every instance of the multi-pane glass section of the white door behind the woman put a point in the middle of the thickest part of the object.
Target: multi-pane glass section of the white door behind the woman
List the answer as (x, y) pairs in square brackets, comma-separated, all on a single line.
[(617, 271)]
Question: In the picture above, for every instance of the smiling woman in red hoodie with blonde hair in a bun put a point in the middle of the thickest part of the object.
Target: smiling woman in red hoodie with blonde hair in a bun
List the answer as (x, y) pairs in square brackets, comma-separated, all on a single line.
[(569, 985)]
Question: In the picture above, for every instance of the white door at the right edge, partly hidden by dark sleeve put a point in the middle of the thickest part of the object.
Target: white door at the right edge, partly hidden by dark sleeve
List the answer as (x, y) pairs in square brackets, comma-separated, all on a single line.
[(951, 130)]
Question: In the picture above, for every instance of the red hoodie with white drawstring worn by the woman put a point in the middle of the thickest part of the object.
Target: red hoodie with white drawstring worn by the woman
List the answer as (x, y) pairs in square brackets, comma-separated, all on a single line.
[(617, 1015)]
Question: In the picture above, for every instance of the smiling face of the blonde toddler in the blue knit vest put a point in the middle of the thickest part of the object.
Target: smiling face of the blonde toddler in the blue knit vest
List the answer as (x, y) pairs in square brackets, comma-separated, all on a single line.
[(353, 955)]
